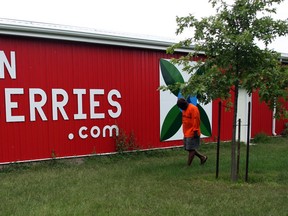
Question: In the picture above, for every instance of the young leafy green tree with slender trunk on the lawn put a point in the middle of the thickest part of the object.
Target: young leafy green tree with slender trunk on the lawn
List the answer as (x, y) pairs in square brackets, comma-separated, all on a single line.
[(233, 60)]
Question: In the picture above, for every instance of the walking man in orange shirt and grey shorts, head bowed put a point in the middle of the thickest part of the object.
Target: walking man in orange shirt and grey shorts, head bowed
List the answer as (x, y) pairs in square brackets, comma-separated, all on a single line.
[(191, 130)]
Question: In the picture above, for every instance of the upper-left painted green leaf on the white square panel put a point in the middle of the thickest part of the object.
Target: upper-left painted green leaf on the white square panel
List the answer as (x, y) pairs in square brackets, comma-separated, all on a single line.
[(170, 74)]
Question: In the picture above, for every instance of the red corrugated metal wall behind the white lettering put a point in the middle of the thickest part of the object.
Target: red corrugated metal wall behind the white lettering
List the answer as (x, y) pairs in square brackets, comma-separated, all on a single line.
[(52, 64)]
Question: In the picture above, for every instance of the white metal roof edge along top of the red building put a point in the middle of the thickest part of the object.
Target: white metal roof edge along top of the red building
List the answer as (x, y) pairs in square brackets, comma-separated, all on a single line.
[(53, 31)]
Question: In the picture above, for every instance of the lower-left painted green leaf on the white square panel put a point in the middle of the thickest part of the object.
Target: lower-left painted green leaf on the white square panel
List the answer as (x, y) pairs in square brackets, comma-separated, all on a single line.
[(171, 124)]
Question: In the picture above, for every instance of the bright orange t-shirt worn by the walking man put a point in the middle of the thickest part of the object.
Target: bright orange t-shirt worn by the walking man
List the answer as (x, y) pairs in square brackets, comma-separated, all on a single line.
[(191, 121)]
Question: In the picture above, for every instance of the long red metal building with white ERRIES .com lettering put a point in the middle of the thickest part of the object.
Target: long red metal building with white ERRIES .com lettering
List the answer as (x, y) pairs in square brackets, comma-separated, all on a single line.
[(65, 92)]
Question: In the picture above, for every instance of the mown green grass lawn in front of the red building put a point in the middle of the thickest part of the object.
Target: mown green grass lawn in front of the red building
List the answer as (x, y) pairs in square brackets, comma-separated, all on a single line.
[(150, 183)]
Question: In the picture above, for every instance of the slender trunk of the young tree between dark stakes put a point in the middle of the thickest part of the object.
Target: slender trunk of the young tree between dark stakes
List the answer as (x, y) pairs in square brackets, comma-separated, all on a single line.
[(233, 144)]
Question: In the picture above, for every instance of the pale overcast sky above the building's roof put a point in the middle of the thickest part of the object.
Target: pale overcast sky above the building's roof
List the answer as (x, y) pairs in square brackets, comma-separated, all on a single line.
[(150, 17)]
